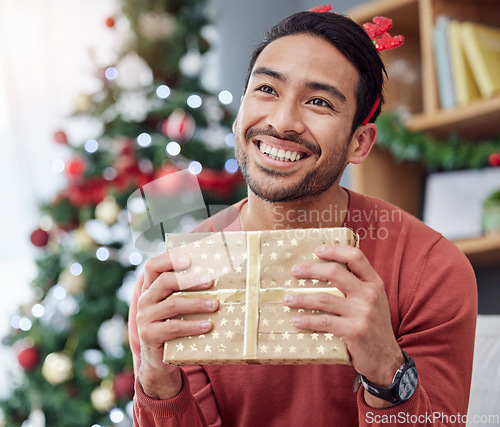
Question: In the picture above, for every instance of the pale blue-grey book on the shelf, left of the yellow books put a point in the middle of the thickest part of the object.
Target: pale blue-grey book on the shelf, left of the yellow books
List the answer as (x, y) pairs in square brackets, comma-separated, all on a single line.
[(442, 60)]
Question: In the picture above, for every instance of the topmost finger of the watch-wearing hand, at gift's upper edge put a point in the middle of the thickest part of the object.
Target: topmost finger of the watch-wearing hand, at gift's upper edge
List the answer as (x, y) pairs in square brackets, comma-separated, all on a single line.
[(355, 260)]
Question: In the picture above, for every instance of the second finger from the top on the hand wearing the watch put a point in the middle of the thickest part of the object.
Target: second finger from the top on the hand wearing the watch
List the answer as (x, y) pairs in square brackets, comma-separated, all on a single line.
[(332, 272)]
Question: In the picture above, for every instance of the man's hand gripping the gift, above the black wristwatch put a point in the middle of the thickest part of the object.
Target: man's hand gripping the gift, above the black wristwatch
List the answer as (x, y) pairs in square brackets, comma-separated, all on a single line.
[(361, 319)]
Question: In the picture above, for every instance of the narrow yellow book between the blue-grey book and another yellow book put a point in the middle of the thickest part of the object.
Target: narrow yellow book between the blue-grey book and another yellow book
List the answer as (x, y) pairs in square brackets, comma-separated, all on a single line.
[(466, 88)]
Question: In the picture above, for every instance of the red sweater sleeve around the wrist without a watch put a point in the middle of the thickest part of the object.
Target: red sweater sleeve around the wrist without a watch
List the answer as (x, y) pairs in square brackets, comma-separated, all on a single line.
[(195, 405)]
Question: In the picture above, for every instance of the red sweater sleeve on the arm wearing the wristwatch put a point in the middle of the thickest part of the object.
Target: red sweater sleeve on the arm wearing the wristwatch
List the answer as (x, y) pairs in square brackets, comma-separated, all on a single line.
[(437, 329)]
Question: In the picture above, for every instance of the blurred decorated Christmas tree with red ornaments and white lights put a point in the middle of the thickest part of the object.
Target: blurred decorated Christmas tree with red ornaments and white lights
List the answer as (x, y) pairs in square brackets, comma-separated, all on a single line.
[(156, 119)]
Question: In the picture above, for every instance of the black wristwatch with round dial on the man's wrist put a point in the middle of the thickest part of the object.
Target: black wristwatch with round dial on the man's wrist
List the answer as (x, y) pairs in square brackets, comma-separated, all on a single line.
[(403, 384)]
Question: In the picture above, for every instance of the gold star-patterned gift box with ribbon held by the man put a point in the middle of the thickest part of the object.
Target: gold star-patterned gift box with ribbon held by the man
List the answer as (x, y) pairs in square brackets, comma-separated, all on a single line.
[(252, 274)]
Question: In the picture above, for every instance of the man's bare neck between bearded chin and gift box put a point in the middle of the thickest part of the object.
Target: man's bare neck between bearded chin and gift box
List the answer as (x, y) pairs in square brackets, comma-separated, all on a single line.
[(321, 211)]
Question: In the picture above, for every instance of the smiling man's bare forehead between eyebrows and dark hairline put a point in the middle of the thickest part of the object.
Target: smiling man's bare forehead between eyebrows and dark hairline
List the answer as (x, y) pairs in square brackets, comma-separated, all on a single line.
[(304, 57)]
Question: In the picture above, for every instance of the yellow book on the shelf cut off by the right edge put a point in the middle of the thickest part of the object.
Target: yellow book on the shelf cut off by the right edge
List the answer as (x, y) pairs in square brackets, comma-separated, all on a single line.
[(482, 49)]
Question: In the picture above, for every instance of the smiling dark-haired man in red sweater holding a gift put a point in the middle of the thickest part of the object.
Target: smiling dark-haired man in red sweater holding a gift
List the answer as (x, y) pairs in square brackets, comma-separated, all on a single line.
[(310, 99)]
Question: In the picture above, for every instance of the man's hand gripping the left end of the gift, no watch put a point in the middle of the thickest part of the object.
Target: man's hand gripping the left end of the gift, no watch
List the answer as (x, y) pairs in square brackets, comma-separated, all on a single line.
[(155, 307)]
